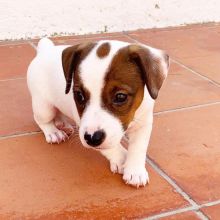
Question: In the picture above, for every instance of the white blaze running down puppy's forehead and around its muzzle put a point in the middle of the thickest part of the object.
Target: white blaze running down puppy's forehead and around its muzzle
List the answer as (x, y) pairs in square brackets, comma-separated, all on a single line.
[(92, 72)]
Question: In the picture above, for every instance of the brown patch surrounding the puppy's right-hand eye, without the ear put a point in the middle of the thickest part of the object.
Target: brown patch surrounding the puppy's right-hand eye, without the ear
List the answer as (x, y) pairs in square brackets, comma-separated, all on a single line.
[(123, 80)]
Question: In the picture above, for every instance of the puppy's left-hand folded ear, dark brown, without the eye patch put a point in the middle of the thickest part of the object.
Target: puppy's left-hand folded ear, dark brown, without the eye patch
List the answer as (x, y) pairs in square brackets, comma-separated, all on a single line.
[(71, 58)]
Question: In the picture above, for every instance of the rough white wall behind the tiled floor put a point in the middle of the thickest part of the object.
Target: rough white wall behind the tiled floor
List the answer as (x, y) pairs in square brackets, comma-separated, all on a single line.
[(31, 18)]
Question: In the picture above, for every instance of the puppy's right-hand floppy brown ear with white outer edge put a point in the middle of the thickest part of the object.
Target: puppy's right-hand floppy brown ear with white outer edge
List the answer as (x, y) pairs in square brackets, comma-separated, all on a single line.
[(153, 65)]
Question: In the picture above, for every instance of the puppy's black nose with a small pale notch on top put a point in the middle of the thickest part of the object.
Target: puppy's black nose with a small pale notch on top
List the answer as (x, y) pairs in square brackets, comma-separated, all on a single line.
[(96, 139)]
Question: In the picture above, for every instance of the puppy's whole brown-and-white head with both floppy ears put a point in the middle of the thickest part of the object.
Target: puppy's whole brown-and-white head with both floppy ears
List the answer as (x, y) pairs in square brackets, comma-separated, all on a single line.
[(108, 86)]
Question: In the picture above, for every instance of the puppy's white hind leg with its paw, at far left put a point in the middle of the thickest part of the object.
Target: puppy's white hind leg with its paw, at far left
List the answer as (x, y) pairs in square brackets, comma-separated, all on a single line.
[(44, 114)]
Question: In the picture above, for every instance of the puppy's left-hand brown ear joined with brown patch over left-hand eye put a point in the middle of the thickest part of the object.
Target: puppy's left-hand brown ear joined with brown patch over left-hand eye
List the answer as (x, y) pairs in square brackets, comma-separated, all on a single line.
[(71, 59)]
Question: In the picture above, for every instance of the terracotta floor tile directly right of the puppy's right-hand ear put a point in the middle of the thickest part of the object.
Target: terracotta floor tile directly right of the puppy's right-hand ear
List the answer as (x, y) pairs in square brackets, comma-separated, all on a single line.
[(183, 88)]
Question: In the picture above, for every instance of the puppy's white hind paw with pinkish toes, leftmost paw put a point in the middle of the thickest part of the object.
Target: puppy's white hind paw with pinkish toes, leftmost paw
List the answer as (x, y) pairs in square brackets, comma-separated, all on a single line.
[(56, 136)]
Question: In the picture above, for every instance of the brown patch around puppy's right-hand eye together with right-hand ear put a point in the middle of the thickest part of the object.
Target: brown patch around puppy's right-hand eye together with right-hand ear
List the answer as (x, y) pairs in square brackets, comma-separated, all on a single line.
[(132, 67)]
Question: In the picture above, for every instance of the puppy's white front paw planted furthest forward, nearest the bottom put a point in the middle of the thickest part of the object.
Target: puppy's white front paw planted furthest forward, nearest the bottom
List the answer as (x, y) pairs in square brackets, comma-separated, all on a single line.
[(136, 175)]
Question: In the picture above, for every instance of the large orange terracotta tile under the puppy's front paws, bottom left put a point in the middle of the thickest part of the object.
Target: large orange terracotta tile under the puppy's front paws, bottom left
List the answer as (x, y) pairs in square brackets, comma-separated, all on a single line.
[(67, 181)]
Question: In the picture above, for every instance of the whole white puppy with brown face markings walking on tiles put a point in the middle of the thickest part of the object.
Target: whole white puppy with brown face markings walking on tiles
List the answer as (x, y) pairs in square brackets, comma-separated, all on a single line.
[(108, 88)]
